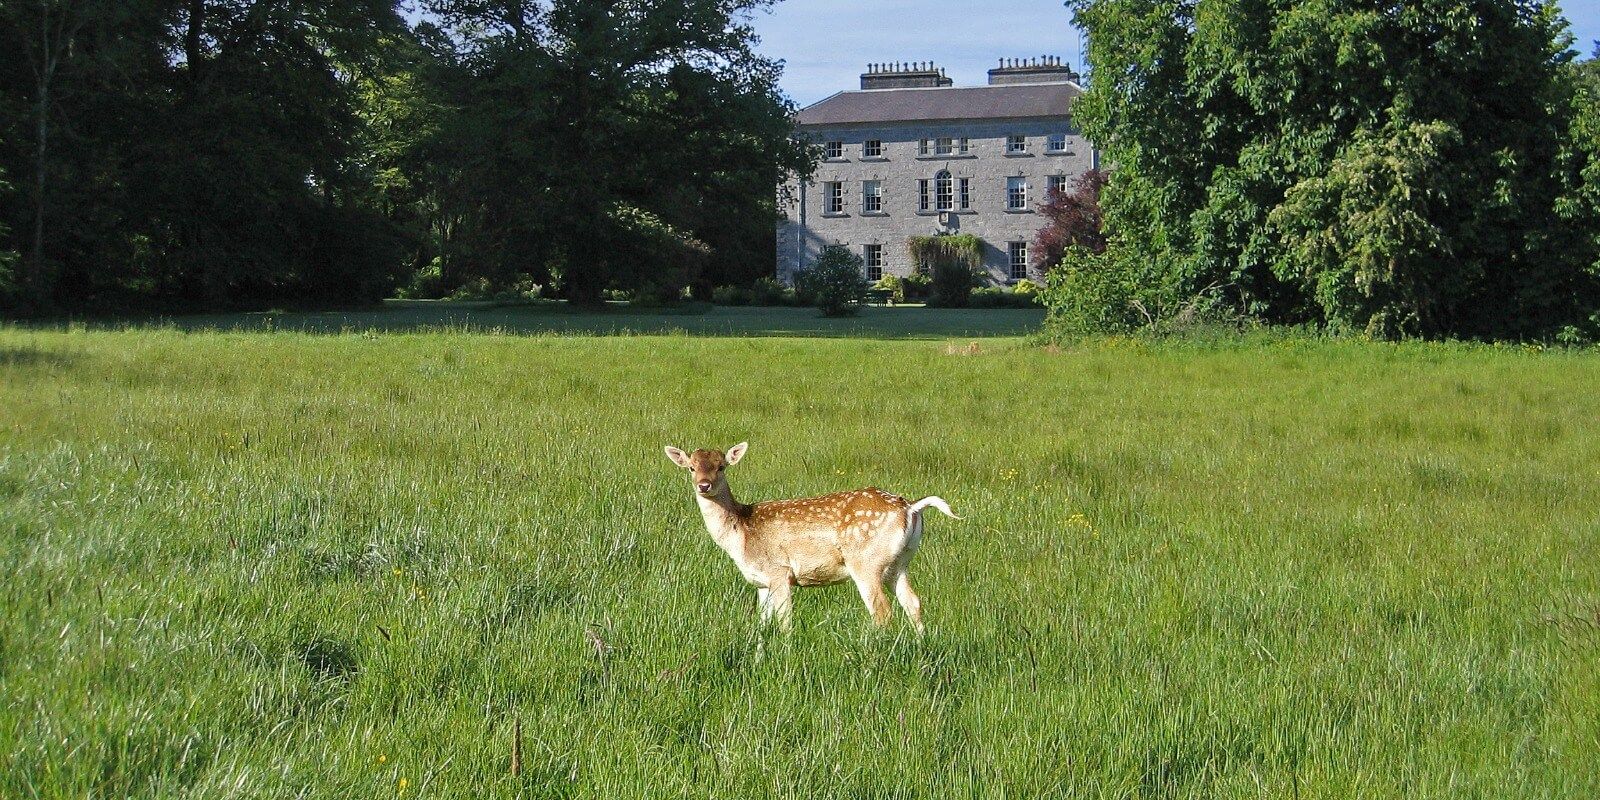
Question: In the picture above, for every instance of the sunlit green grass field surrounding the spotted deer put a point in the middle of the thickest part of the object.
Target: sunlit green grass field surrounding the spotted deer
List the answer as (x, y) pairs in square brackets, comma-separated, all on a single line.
[(303, 566)]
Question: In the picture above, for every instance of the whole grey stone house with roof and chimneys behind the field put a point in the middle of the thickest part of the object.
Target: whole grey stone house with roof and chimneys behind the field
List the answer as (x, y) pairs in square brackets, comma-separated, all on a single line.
[(911, 154)]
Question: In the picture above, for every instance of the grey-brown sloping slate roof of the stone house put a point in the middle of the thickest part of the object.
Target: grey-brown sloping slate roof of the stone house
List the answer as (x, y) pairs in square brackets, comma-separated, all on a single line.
[(945, 103)]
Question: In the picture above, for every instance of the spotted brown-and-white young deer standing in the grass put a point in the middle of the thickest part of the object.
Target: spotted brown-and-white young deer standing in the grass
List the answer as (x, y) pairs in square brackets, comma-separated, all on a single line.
[(866, 537)]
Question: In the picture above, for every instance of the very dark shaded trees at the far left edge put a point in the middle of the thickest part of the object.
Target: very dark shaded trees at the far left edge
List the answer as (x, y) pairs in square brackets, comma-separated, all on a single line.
[(196, 151)]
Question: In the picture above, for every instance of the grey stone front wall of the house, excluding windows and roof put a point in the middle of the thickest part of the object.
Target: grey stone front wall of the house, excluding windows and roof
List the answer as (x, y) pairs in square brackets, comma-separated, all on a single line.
[(986, 167)]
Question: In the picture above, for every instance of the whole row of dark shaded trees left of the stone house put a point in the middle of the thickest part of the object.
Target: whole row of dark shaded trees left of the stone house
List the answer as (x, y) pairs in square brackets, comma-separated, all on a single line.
[(233, 153)]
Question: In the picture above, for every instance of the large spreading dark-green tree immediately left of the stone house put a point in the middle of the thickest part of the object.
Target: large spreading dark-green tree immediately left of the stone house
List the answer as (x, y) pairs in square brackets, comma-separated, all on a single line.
[(609, 145)]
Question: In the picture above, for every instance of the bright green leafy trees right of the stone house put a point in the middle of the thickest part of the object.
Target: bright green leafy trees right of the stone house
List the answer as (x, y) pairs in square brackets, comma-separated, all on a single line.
[(1423, 169)]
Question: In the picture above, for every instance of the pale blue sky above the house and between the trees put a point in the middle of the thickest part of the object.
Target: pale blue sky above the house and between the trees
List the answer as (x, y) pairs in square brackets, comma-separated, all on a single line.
[(826, 44)]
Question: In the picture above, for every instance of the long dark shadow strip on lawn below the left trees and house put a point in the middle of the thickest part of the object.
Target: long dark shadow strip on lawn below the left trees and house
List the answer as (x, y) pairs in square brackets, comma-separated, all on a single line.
[(874, 322)]
